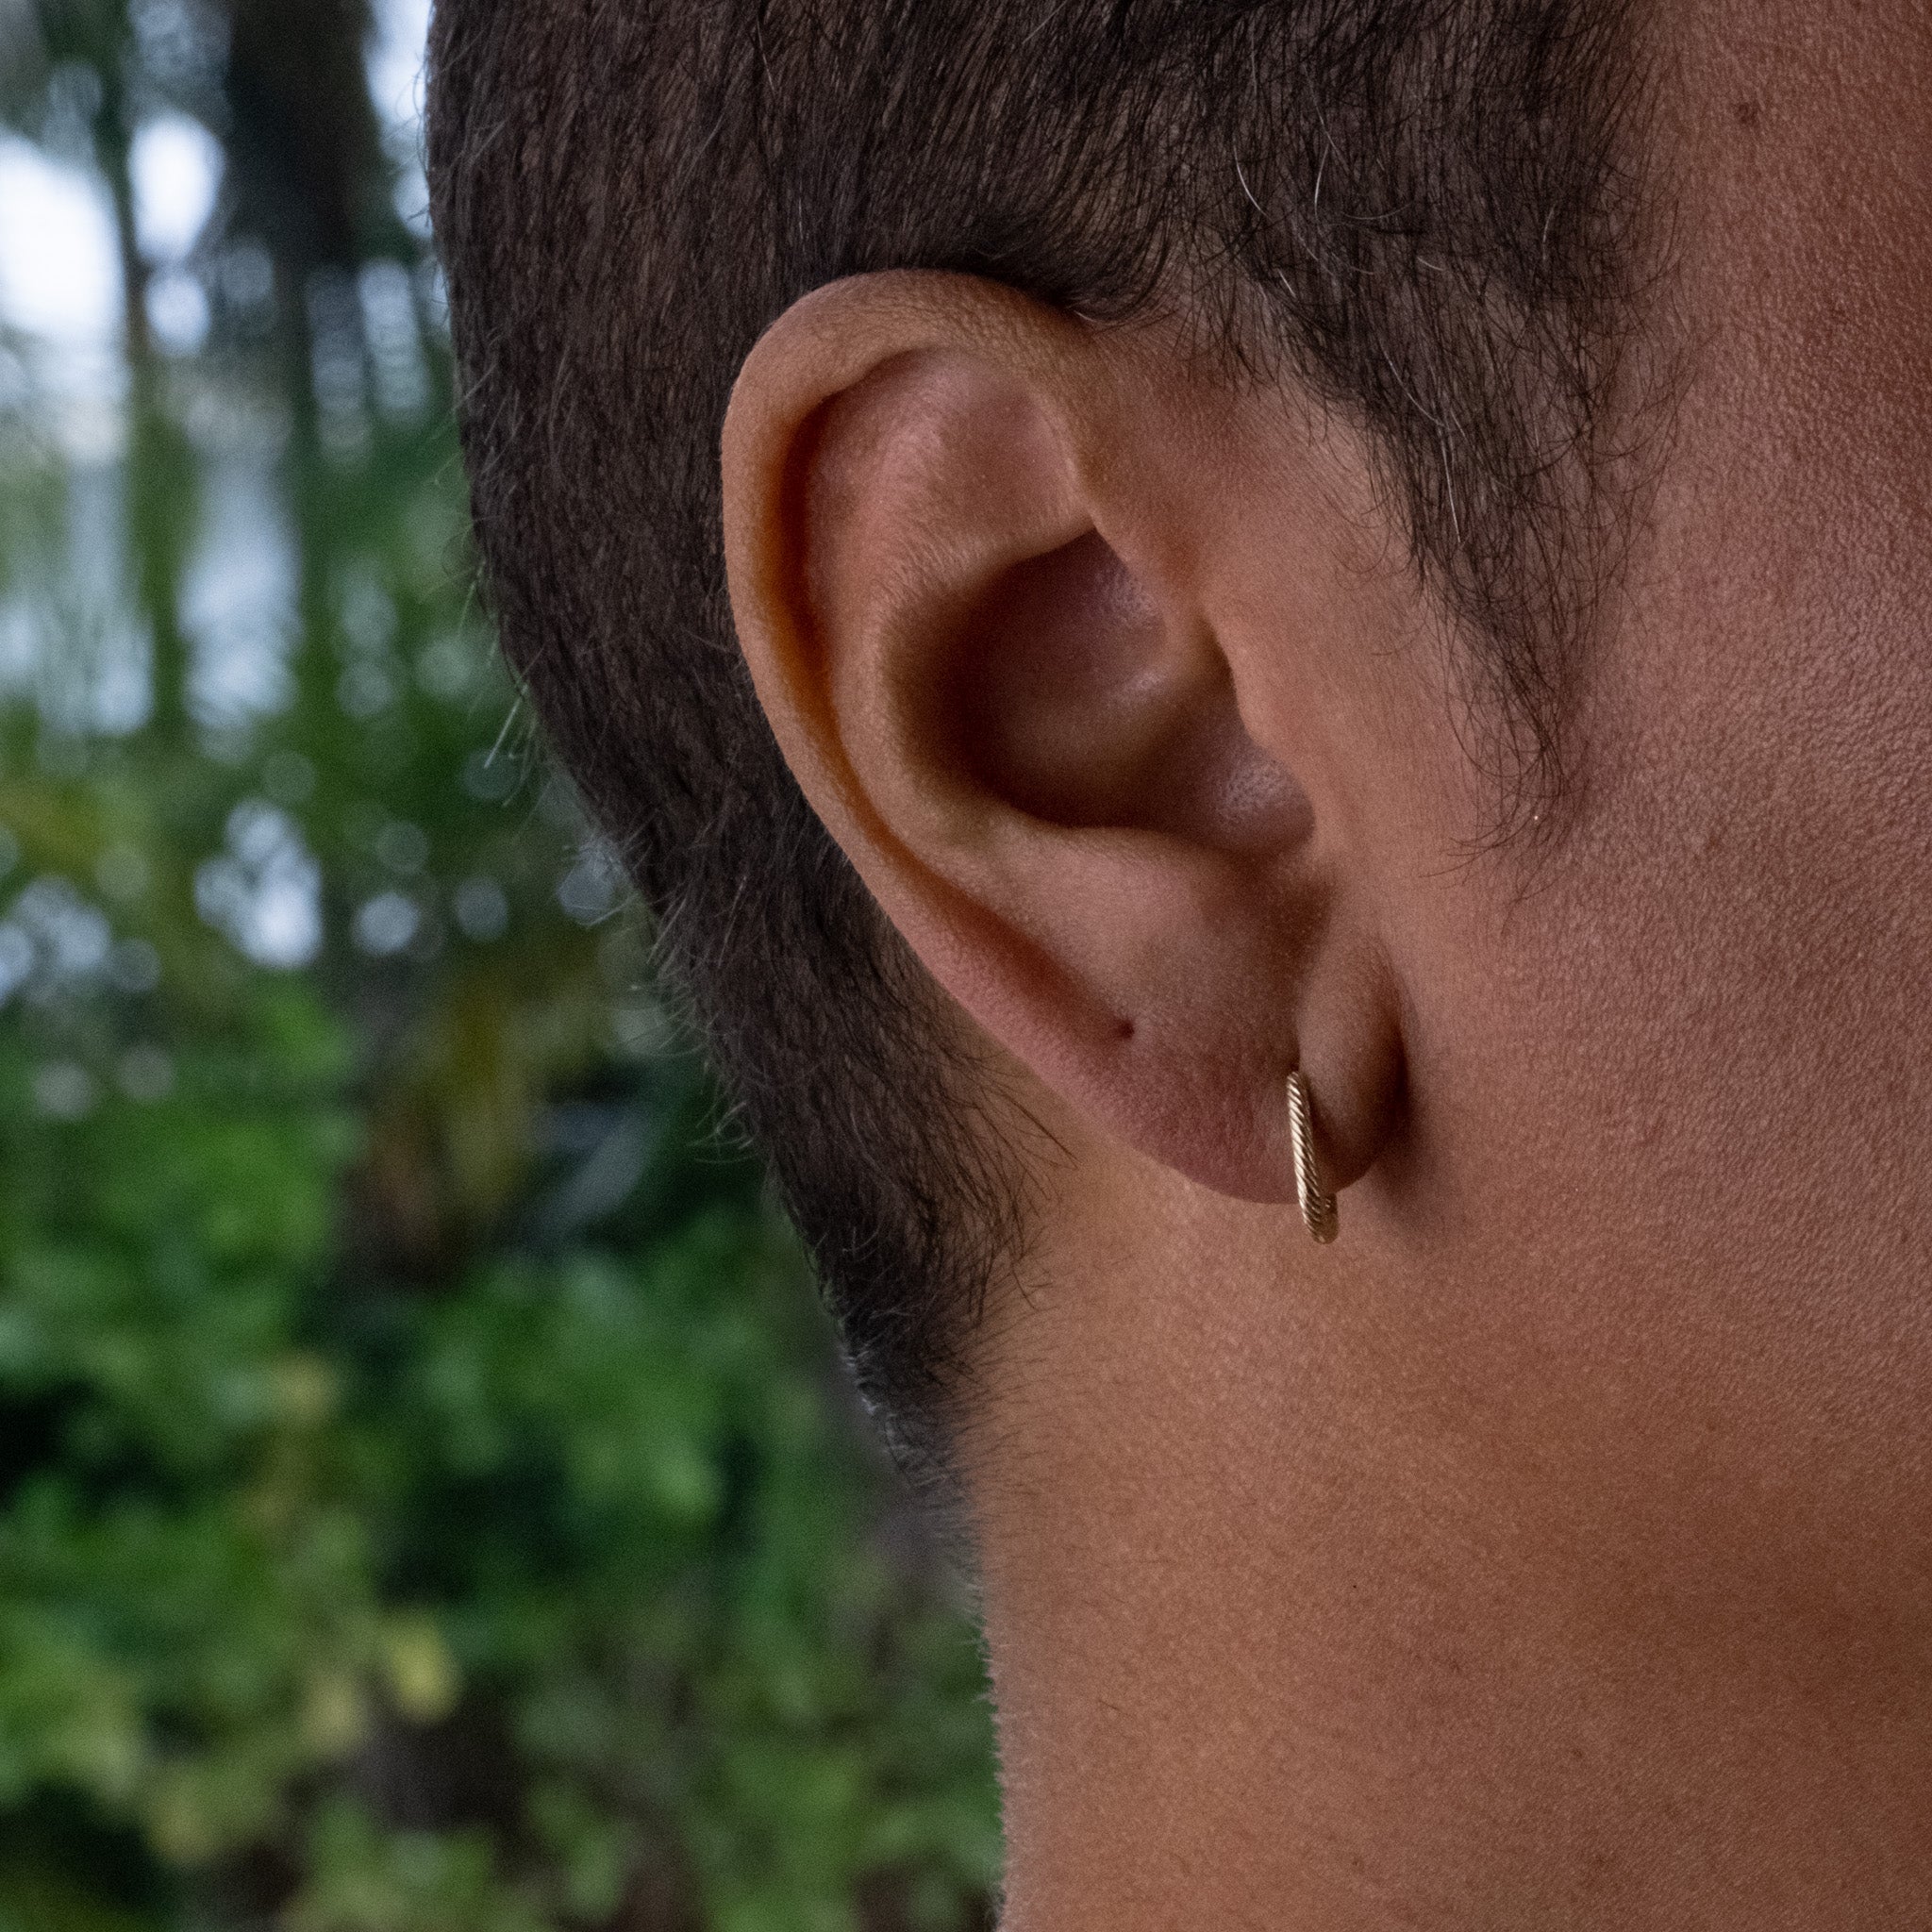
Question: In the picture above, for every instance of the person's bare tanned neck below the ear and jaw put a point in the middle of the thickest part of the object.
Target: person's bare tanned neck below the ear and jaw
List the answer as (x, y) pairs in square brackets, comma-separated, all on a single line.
[(1297, 1622)]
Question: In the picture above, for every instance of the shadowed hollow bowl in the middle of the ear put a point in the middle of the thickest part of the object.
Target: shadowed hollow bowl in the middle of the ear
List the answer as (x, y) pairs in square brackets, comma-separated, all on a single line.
[(1069, 695)]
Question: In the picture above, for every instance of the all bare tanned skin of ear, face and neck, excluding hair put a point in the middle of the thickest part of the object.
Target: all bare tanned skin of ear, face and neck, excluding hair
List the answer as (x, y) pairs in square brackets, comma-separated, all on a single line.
[(1554, 1550)]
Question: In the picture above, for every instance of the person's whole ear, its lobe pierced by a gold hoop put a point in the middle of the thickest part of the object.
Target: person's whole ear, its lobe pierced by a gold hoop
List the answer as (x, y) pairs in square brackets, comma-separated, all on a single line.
[(1058, 637)]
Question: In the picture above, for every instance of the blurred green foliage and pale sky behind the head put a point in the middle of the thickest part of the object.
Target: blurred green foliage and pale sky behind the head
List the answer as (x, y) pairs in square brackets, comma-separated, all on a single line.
[(430, 1500)]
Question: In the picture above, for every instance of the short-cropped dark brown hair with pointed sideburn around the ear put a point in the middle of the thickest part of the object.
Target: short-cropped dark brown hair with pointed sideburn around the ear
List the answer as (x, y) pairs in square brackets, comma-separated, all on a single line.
[(1421, 210)]
